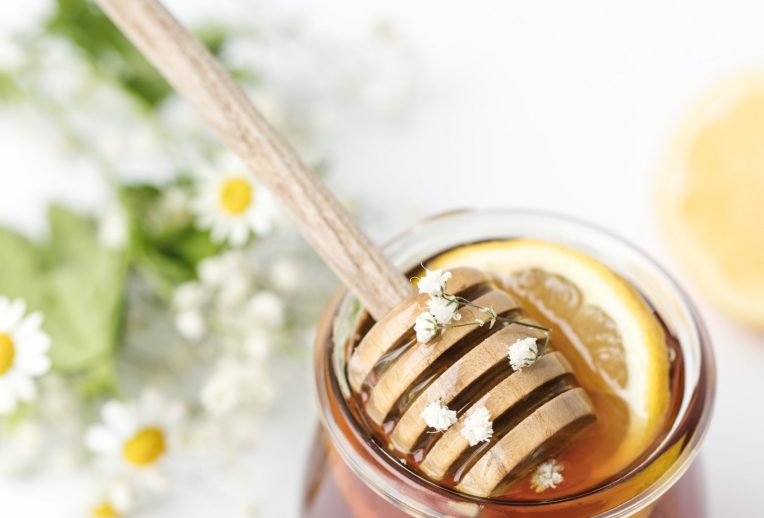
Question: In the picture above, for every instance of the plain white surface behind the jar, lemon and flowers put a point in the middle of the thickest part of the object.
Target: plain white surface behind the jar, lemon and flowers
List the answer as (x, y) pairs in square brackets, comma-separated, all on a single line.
[(558, 105)]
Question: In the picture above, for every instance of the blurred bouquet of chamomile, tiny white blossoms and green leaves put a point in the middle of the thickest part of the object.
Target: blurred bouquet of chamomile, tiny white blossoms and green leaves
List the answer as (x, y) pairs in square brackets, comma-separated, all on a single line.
[(129, 338)]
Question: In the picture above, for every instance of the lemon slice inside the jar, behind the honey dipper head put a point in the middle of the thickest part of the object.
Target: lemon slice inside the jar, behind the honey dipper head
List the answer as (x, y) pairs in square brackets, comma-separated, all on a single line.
[(621, 343)]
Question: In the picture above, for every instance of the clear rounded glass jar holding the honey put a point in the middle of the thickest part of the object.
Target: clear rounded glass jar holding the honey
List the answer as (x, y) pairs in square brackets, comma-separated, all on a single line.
[(350, 475)]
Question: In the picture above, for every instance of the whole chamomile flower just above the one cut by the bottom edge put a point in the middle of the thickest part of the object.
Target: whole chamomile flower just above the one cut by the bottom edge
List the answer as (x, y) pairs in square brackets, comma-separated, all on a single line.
[(136, 438)]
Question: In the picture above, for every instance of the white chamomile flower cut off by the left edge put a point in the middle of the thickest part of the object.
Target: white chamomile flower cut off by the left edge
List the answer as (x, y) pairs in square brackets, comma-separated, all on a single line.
[(23, 353)]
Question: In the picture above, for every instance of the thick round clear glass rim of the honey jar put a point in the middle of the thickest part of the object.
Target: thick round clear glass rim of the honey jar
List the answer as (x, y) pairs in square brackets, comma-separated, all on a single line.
[(407, 250)]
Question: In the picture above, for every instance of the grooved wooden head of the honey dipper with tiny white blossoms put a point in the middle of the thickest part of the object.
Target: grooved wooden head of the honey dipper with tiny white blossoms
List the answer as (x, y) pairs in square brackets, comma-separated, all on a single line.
[(466, 369)]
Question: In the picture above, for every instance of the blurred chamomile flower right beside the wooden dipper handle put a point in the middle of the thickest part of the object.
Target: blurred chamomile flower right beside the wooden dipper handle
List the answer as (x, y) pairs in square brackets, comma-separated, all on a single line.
[(233, 206)]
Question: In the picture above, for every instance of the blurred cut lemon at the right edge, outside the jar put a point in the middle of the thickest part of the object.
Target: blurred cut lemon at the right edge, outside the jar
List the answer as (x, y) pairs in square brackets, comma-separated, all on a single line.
[(710, 194)]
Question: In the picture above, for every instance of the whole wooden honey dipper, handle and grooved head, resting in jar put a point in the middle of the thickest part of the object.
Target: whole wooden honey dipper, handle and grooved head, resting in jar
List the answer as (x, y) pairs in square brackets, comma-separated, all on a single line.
[(385, 293)]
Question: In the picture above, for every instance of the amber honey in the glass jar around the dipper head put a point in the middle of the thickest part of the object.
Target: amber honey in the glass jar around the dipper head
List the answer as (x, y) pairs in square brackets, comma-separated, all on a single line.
[(596, 480)]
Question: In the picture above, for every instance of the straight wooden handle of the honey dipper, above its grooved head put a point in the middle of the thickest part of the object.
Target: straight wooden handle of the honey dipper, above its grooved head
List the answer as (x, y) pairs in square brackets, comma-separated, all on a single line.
[(195, 74)]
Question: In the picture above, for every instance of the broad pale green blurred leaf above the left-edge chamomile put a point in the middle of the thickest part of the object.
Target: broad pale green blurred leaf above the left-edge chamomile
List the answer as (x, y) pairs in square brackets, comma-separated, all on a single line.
[(78, 285)]
